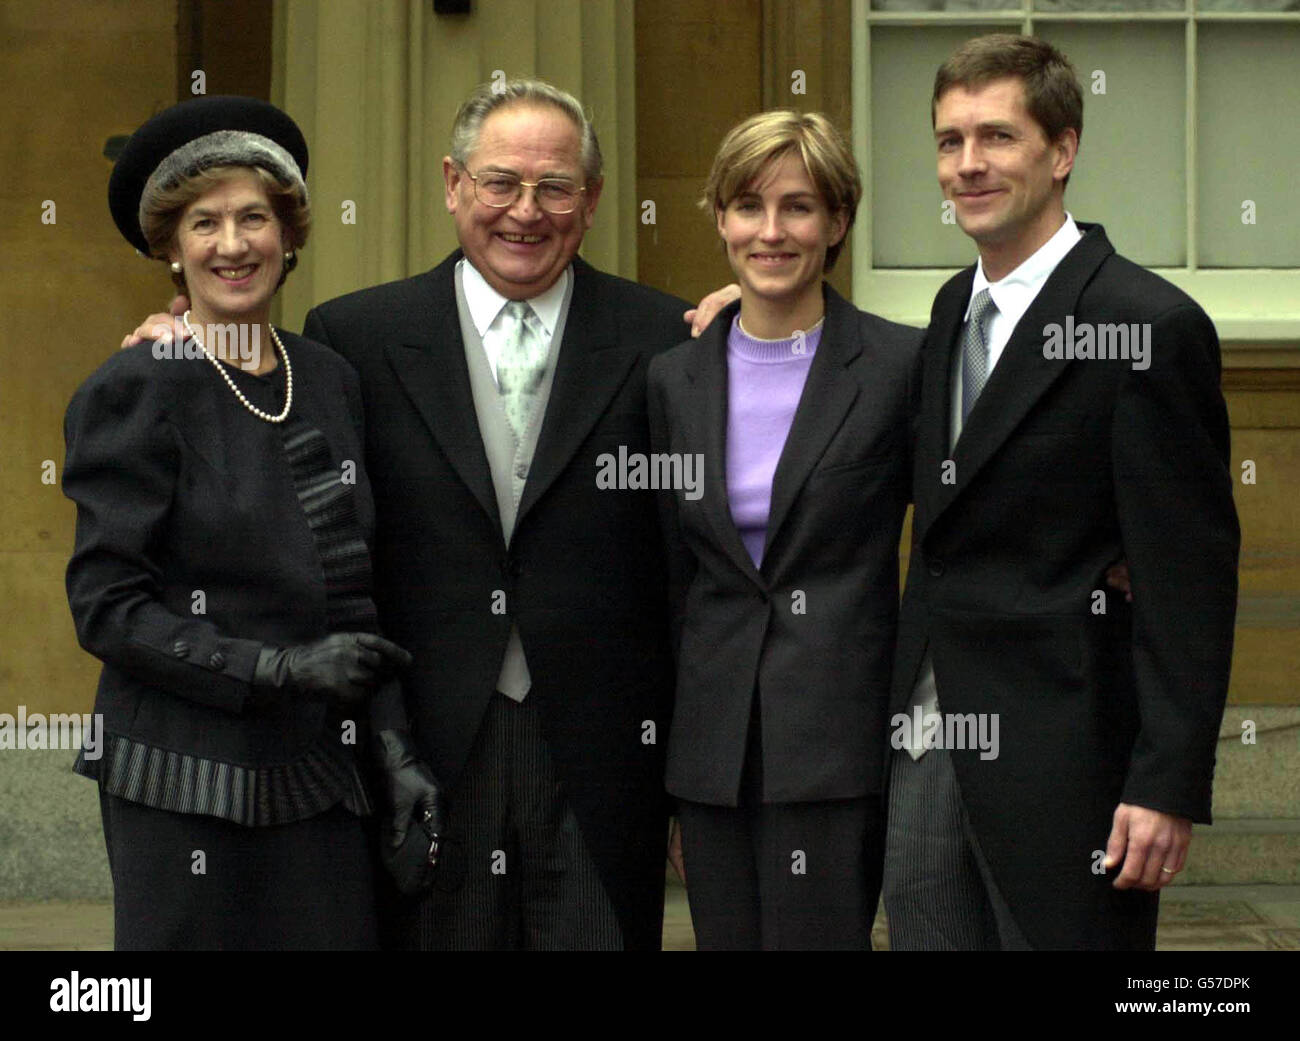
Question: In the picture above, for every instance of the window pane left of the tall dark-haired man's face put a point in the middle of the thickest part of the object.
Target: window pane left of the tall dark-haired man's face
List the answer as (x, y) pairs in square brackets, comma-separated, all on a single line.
[(907, 228)]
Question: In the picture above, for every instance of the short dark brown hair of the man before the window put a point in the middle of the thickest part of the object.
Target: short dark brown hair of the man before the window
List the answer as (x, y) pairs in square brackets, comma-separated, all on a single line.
[(1052, 92)]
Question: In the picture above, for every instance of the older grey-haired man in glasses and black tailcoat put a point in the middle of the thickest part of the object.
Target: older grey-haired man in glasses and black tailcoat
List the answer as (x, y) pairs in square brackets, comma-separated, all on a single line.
[(532, 600)]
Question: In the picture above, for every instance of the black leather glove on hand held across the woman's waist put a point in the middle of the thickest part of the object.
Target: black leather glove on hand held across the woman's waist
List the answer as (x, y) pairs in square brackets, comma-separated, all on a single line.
[(344, 666)]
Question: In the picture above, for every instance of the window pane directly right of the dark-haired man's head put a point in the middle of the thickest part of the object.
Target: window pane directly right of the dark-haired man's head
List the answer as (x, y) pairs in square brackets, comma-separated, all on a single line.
[(1130, 171)]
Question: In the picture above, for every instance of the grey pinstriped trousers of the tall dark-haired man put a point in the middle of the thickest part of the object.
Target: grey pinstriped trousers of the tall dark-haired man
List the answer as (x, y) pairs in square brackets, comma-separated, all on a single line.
[(938, 887)]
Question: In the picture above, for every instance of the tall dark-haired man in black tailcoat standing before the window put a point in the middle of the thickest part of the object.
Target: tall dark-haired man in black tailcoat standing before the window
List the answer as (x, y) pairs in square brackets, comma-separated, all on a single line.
[(1035, 471)]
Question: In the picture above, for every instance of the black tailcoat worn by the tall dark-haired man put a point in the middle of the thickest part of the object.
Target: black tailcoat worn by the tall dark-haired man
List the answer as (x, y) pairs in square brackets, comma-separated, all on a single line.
[(1064, 467)]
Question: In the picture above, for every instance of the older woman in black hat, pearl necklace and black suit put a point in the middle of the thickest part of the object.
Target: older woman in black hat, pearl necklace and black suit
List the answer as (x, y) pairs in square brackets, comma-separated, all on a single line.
[(222, 570)]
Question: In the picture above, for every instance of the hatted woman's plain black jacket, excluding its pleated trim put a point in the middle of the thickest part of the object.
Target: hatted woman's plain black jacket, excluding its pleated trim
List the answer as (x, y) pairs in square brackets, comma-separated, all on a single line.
[(180, 491)]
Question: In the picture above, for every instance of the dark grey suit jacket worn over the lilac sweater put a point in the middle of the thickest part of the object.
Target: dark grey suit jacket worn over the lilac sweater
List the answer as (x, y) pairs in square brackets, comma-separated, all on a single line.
[(812, 631)]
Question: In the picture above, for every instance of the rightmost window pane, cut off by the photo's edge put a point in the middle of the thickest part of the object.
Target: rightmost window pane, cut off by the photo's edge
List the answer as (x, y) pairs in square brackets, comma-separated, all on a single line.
[(1249, 144)]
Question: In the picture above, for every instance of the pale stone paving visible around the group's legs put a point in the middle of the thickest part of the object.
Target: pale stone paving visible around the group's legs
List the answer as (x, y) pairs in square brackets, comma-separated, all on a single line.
[(1193, 918)]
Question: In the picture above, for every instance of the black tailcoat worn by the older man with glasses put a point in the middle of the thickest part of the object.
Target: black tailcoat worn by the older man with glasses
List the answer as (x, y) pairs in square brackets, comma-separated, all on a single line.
[(584, 576)]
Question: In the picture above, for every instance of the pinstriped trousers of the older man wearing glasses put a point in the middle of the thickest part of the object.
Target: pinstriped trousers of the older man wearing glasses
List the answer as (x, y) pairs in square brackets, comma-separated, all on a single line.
[(517, 874)]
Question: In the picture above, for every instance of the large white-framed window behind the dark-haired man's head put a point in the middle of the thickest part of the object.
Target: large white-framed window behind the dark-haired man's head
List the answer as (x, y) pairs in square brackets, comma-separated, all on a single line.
[(1190, 151)]
